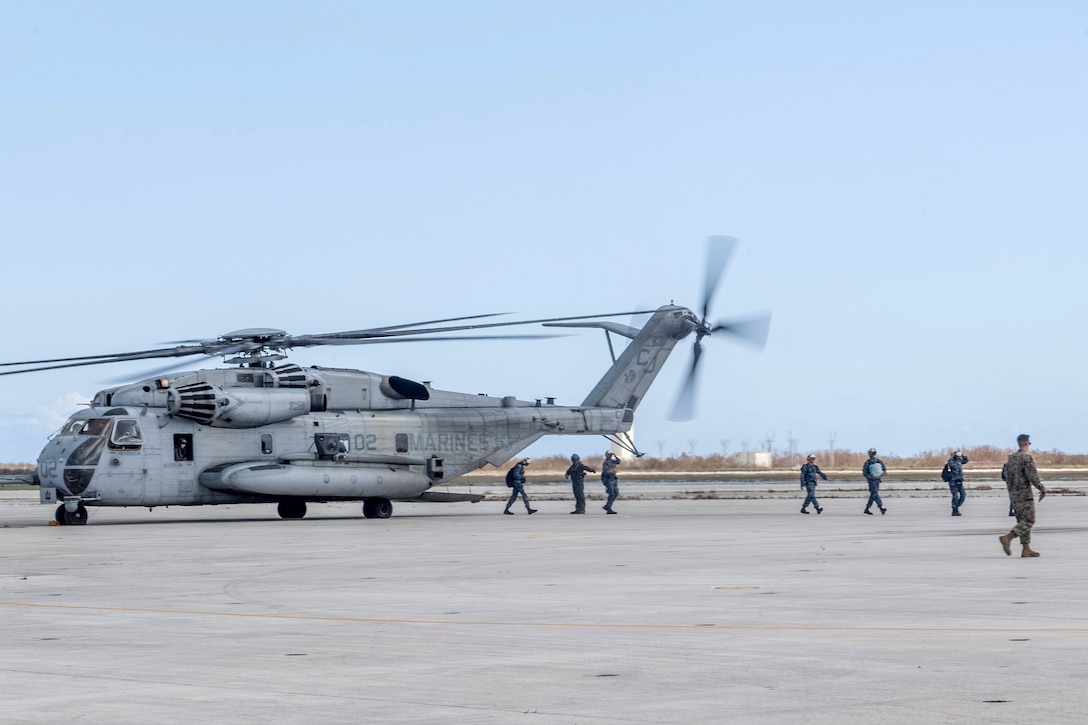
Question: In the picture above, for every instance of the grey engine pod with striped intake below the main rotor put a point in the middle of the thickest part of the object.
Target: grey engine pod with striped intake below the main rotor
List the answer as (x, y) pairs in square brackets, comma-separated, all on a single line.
[(239, 408)]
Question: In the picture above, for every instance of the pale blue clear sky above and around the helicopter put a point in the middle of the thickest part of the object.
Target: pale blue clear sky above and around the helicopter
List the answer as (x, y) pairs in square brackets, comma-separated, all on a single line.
[(908, 182)]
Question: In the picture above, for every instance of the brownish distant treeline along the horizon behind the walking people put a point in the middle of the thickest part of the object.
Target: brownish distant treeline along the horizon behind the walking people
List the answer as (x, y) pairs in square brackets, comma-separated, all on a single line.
[(986, 457)]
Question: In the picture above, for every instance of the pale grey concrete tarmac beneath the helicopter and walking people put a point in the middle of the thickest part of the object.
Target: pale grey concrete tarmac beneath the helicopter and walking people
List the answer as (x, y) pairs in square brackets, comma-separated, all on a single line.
[(674, 611)]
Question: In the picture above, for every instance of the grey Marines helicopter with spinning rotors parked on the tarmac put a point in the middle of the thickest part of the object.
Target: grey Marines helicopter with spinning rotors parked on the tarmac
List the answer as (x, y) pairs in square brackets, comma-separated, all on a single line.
[(263, 433)]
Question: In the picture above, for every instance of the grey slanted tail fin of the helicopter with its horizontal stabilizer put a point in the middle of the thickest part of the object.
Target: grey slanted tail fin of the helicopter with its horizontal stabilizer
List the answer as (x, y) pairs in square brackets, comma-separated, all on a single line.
[(627, 382)]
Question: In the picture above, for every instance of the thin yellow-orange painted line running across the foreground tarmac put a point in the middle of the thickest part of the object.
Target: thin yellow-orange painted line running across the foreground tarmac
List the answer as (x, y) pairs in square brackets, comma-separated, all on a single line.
[(560, 625)]
